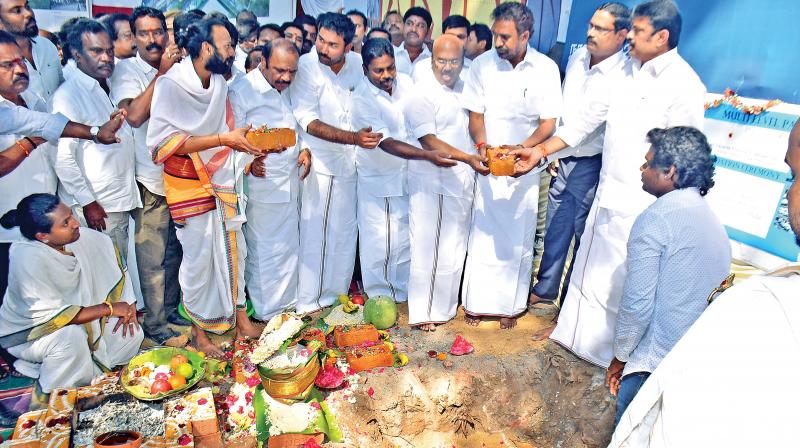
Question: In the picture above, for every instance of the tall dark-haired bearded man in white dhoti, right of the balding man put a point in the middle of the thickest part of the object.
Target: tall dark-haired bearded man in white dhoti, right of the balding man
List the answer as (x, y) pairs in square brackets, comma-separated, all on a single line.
[(513, 94)]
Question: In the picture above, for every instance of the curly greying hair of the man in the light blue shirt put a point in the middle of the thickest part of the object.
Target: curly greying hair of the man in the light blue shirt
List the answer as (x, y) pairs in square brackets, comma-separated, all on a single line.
[(687, 149)]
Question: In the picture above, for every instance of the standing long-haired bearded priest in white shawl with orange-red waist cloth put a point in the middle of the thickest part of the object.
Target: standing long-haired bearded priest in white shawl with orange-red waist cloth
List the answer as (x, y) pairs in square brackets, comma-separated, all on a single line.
[(191, 132)]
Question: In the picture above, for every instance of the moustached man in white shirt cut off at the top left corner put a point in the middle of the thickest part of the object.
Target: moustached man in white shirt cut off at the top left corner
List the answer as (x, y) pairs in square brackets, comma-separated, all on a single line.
[(41, 56)]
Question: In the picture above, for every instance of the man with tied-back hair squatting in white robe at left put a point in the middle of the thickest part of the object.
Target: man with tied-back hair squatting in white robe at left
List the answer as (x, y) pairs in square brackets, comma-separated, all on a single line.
[(69, 312)]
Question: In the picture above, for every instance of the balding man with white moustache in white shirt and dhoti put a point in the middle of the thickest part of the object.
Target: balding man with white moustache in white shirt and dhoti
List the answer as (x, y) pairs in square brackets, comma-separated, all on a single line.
[(440, 197)]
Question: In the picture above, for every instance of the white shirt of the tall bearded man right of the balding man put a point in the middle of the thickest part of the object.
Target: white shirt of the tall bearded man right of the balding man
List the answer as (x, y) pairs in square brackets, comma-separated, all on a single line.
[(513, 99)]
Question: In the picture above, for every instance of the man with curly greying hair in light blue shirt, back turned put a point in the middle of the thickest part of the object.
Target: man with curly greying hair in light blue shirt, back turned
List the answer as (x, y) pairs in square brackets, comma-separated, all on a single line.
[(678, 252)]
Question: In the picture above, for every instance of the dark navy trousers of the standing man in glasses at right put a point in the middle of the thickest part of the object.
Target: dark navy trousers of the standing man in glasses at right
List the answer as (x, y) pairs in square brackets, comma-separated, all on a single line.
[(569, 200)]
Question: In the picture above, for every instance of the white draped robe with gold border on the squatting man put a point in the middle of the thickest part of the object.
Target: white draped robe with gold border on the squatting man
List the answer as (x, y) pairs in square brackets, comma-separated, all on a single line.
[(61, 357)]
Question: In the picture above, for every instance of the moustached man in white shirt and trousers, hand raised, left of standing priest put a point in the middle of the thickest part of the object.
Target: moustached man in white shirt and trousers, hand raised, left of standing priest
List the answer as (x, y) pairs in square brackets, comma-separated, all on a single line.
[(158, 252)]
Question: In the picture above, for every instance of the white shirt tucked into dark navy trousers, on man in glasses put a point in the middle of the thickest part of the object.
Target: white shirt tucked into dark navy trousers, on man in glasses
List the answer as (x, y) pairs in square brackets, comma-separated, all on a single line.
[(588, 91)]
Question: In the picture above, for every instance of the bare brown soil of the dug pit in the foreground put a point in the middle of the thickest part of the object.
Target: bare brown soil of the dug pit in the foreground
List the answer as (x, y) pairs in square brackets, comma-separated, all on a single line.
[(510, 392)]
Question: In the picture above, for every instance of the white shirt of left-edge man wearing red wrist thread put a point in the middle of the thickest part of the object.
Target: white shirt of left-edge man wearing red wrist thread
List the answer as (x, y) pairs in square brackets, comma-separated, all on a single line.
[(35, 173)]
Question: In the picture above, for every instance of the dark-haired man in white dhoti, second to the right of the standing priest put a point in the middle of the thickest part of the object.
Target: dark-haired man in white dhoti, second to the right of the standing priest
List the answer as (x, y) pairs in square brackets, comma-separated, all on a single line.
[(322, 98)]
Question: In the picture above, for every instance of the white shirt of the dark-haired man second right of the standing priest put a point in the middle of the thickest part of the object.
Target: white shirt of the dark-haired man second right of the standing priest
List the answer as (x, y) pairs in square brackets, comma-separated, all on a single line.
[(319, 94)]
